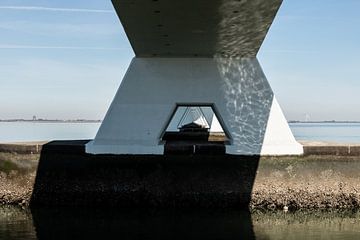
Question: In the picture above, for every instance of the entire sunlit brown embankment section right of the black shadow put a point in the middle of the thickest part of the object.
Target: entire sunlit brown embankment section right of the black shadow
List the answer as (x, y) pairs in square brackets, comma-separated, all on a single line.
[(309, 182)]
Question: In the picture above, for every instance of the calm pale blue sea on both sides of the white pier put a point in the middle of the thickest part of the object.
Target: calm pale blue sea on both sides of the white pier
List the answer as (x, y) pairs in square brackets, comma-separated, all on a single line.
[(29, 131)]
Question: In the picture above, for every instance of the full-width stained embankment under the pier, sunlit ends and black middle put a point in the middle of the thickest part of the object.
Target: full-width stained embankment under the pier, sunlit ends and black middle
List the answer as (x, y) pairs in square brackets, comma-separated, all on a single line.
[(73, 178)]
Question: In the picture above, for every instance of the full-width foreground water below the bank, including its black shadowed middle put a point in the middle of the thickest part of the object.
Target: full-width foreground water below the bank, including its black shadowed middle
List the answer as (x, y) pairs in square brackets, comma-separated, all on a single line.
[(102, 223)]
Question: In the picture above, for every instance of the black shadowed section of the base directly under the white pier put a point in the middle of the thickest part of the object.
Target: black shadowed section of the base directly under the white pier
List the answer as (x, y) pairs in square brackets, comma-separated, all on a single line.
[(68, 176)]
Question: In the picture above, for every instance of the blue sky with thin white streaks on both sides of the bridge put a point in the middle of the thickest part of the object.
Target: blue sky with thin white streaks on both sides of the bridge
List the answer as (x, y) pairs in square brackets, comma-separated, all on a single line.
[(64, 59)]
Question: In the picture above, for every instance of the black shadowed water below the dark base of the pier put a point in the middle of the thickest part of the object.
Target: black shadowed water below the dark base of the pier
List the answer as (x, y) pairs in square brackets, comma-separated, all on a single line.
[(141, 224)]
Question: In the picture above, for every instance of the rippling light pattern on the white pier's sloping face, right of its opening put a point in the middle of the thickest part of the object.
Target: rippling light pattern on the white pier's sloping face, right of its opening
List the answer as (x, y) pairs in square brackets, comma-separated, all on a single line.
[(248, 98)]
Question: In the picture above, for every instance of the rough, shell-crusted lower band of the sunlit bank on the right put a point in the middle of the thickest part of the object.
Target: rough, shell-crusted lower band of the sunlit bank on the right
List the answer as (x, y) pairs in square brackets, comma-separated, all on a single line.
[(304, 196)]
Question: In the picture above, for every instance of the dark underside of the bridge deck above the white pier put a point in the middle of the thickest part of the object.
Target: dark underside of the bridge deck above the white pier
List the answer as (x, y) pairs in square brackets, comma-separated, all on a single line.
[(190, 28)]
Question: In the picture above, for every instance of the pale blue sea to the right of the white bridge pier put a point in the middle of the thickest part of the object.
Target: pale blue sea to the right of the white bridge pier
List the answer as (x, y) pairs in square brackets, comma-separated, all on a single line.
[(330, 132)]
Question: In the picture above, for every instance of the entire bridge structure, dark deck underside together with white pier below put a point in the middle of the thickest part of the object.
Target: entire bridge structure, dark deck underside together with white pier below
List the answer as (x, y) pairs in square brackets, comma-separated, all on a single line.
[(195, 53)]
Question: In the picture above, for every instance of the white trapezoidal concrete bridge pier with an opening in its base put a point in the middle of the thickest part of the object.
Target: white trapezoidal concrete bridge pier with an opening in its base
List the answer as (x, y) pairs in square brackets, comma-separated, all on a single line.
[(236, 87)]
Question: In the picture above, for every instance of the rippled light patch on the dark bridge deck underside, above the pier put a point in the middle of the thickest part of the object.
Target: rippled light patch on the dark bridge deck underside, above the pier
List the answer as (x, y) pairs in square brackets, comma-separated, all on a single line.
[(244, 25)]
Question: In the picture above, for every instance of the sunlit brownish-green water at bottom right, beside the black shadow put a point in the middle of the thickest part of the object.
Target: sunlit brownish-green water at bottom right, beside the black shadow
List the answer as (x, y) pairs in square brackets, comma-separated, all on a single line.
[(331, 225)]
